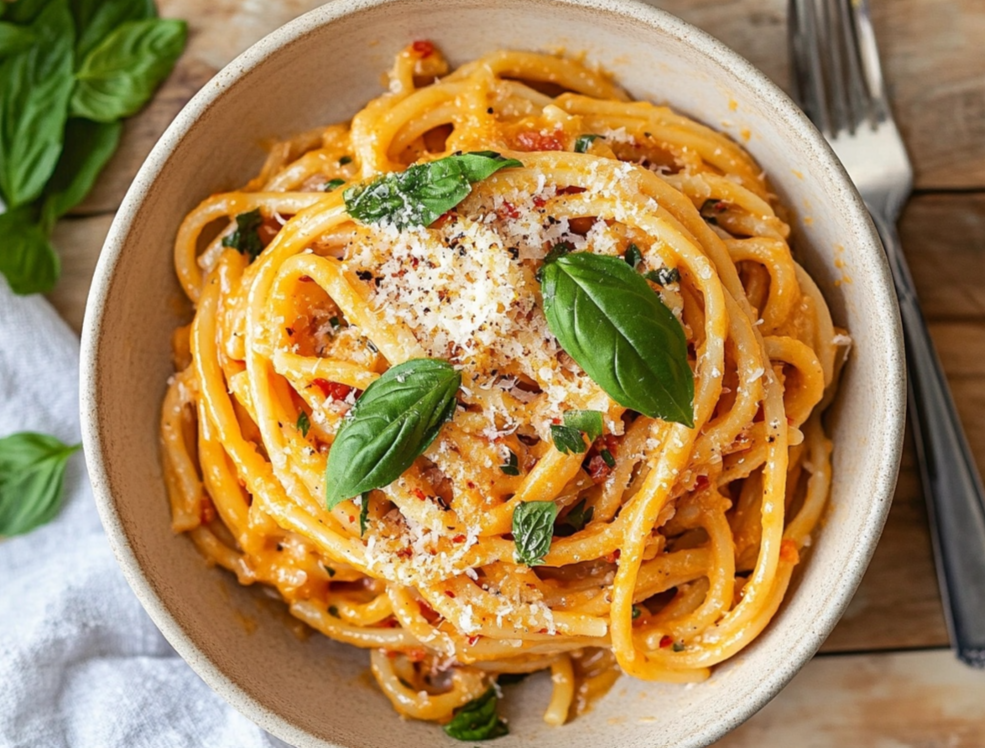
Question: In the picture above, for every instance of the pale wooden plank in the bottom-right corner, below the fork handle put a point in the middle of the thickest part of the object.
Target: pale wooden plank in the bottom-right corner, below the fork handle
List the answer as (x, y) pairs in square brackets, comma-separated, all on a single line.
[(925, 699)]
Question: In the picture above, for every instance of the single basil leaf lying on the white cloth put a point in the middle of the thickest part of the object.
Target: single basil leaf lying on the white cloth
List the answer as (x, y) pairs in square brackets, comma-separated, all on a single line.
[(32, 472)]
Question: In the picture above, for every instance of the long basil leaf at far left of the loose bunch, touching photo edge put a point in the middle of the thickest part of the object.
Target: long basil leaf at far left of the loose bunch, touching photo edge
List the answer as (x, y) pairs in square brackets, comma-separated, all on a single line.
[(35, 86)]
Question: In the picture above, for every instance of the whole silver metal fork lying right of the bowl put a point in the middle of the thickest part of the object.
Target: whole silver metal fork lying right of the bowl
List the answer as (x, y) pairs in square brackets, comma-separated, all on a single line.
[(838, 82)]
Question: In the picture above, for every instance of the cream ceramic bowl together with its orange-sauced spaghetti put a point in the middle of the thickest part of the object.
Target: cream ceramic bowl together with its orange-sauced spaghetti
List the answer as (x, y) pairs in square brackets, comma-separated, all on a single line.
[(553, 386)]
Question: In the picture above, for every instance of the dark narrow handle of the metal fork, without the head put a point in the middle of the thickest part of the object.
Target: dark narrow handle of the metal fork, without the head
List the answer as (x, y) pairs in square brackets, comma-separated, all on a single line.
[(951, 483)]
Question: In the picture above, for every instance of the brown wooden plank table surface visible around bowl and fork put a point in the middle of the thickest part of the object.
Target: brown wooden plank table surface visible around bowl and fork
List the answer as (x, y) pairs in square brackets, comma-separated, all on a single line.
[(885, 677)]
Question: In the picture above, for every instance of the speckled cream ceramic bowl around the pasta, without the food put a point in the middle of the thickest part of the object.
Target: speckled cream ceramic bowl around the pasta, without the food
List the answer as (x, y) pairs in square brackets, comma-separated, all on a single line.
[(322, 68)]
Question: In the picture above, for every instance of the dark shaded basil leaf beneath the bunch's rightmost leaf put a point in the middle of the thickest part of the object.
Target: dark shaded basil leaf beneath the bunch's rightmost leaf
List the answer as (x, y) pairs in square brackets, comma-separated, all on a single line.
[(88, 146)]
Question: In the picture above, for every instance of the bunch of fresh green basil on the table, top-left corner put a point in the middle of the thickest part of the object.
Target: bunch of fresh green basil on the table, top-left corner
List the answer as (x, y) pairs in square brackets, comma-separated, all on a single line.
[(70, 70)]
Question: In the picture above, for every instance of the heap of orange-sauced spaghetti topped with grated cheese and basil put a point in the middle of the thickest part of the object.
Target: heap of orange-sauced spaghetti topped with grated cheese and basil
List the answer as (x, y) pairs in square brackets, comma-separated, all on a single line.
[(669, 541)]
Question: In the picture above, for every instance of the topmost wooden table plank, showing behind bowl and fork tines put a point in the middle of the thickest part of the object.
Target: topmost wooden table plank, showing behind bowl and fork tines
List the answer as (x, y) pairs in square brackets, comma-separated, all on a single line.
[(932, 58)]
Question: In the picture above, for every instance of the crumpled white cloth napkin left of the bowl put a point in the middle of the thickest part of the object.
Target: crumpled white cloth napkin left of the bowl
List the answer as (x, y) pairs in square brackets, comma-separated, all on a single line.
[(81, 664)]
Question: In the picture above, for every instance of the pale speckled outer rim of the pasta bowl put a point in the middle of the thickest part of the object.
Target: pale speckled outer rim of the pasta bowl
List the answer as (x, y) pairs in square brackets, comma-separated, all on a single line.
[(732, 65)]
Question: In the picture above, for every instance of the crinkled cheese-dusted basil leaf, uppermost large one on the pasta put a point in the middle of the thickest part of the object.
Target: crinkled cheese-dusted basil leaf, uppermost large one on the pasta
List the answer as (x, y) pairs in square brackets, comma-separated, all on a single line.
[(419, 195)]
